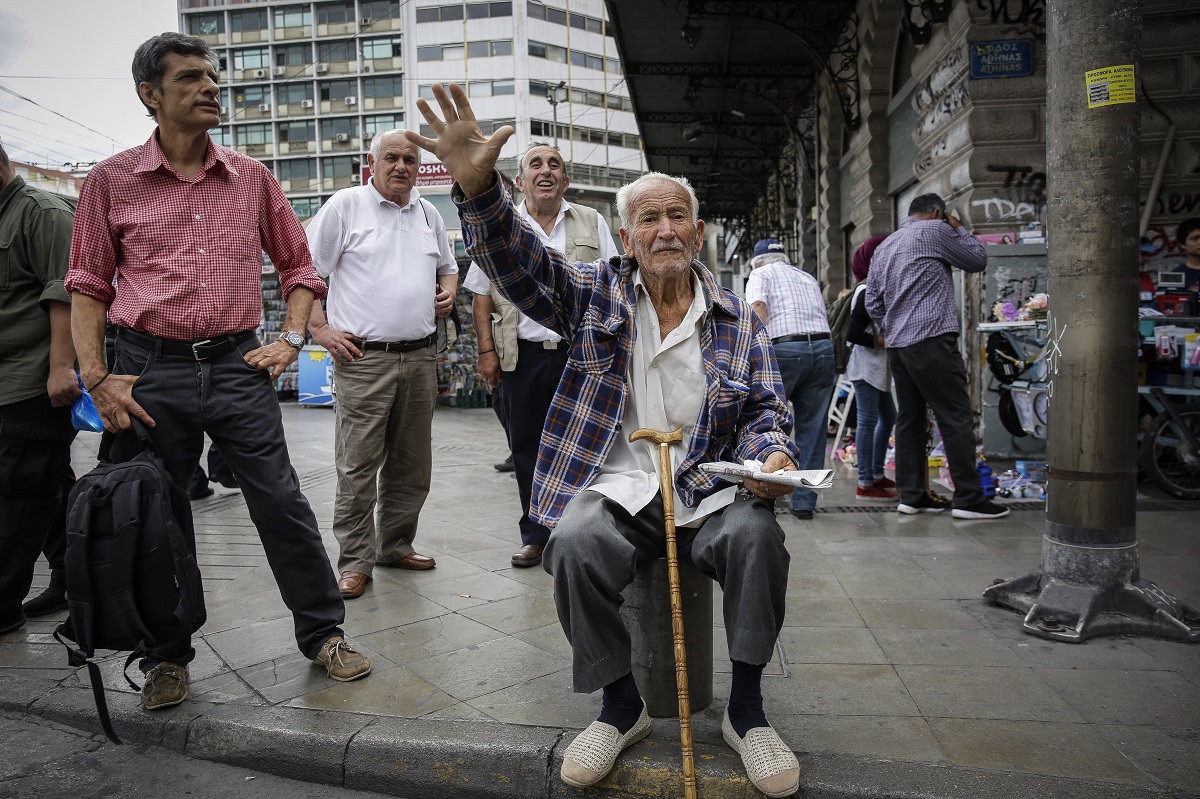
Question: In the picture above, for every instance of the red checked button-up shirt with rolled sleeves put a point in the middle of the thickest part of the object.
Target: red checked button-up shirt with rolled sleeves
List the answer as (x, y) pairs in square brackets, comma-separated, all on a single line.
[(187, 254)]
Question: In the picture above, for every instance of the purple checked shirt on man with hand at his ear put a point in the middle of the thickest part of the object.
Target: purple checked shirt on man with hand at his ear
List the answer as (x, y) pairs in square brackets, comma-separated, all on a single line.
[(910, 292)]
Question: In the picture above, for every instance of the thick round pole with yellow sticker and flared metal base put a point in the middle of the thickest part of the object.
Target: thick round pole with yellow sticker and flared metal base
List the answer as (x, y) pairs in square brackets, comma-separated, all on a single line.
[(1090, 582)]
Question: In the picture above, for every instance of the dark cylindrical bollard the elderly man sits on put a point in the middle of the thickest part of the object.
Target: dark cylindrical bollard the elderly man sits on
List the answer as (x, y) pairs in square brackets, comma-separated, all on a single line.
[(647, 615)]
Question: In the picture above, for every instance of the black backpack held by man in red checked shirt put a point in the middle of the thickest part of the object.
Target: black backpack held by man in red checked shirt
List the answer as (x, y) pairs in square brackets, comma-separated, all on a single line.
[(133, 578)]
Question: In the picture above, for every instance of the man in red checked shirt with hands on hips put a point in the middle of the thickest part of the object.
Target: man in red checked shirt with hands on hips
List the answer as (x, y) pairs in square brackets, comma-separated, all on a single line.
[(182, 224)]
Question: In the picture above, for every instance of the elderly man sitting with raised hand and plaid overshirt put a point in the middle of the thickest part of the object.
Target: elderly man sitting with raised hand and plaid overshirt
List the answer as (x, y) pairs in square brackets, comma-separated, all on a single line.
[(657, 344)]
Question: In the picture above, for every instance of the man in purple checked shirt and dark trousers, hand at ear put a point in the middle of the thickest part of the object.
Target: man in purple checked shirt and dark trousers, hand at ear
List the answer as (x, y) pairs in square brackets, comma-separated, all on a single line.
[(910, 296)]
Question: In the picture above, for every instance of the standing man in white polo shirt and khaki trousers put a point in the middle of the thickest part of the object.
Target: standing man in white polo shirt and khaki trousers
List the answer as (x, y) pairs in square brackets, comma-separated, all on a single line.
[(391, 271)]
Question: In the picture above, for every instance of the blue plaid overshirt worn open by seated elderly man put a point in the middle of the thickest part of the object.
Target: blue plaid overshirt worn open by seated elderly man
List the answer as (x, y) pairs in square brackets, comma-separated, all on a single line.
[(592, 307)]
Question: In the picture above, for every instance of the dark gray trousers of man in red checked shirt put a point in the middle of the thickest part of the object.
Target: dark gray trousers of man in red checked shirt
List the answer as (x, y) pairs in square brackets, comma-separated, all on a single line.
[(237, 406)]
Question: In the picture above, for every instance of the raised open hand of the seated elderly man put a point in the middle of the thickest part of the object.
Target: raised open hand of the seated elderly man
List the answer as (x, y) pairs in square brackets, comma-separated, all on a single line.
[(460, 146)]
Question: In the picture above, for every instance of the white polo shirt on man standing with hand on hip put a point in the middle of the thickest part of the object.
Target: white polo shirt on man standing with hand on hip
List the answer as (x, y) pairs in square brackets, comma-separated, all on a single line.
[(382, 263)]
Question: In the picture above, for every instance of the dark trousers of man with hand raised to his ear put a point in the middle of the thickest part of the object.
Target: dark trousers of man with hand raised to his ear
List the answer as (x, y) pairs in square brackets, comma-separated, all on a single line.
[(931, 374)]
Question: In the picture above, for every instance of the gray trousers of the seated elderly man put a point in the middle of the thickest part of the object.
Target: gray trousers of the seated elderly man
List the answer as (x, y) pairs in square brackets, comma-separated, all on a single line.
[(597, 548)]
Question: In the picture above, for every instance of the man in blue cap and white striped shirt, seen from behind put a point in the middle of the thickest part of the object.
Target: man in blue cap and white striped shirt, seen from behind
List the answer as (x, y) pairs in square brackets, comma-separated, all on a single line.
[(789, 302)]
